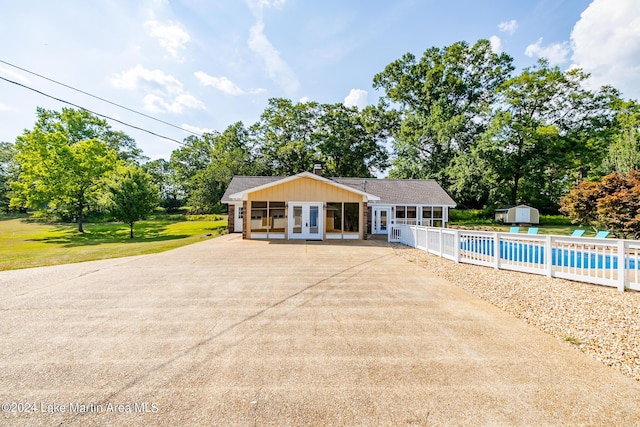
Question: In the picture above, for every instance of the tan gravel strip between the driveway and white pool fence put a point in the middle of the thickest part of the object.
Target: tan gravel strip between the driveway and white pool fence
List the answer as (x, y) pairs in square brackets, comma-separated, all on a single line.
[(600, 321)]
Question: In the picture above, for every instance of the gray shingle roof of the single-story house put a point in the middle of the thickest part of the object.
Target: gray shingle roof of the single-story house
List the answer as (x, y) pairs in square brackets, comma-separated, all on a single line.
[(390, 191)]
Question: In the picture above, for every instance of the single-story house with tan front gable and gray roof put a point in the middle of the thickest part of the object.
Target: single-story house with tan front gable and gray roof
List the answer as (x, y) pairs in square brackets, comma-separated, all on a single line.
[(309, 206)]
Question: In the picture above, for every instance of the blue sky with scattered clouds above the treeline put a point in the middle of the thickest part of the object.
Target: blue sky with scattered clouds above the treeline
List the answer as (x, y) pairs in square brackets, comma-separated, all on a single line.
[(205, 64)]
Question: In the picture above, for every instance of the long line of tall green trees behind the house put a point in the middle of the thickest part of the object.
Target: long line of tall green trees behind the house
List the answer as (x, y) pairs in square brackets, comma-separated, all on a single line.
[(459, 114)]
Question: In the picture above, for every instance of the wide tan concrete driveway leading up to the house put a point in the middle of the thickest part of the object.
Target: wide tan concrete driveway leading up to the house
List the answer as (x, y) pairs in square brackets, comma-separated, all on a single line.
[(231, 332)]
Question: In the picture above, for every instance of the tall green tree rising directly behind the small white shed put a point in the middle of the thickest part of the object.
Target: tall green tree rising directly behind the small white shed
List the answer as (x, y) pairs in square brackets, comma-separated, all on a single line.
[(543, 117)]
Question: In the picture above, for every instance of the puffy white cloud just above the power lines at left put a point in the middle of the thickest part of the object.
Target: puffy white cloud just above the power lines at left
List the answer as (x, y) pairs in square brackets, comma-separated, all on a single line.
[(165, 92)]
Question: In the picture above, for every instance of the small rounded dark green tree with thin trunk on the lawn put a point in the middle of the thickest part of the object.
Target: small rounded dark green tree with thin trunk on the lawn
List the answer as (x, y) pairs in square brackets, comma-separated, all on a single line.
[(132, 195)]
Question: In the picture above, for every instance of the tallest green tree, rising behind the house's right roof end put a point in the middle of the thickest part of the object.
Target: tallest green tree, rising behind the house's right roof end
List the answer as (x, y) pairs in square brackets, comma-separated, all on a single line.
[(445, 100)]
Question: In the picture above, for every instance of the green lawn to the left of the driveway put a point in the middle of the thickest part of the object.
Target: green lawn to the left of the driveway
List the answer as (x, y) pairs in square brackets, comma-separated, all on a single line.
[(27, 243)]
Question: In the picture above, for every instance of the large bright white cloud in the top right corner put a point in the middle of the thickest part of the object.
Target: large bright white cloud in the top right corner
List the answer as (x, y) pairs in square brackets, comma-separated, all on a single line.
[(606, 43)]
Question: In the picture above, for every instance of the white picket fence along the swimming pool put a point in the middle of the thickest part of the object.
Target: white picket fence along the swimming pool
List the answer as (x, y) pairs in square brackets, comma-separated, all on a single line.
[(582, 259)]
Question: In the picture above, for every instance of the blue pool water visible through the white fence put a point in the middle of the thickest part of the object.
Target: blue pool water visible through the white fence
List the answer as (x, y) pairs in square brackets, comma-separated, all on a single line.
[(523, 252)]
